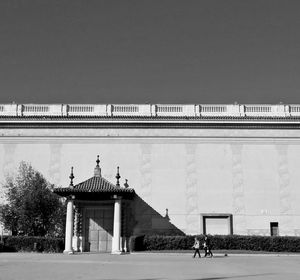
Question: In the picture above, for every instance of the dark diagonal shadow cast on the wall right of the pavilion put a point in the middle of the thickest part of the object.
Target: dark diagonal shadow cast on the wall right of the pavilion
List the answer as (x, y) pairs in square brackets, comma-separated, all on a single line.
[(143, 219)]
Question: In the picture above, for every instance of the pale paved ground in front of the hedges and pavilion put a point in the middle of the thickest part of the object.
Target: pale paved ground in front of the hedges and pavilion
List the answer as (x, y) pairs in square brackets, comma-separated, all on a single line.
[(31, 266)]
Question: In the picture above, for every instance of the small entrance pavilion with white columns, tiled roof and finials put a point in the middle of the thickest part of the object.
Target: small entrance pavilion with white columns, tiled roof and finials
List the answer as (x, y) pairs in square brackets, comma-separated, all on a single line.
[(97, 212)]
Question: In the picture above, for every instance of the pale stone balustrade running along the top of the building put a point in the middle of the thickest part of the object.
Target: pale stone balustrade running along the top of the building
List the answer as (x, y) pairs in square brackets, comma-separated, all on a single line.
[(150, 110)]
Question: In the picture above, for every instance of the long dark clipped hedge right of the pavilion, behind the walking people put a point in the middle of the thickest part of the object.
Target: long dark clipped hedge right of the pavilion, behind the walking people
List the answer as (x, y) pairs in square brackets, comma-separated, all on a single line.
[(218, 242)]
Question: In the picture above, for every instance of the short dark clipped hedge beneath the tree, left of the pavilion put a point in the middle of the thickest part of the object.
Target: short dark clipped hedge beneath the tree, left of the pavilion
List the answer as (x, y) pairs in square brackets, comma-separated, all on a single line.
[(32, 244)]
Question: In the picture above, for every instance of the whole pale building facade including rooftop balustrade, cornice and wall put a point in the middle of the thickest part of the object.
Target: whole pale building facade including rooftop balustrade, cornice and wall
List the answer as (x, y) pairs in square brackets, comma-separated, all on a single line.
[(219, 169)]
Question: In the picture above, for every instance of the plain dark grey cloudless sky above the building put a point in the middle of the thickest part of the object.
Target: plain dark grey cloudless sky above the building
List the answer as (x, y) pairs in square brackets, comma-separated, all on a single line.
[(203, 51)]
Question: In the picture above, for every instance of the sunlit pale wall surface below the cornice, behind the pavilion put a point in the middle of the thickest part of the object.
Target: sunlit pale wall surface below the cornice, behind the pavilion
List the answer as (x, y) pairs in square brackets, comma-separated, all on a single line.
[(251, 174)]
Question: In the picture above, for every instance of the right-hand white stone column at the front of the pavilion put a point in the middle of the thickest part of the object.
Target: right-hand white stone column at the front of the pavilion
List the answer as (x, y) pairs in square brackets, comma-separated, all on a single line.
[(117, 226)]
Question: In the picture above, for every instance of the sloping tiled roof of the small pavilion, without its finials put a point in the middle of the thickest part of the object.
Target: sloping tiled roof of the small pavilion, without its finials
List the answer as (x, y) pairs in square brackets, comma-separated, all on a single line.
[(94, 185)]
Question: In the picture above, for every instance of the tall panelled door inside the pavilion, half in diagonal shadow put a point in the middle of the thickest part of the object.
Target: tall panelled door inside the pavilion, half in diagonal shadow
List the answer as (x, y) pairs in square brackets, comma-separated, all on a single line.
[(99, 229)]
